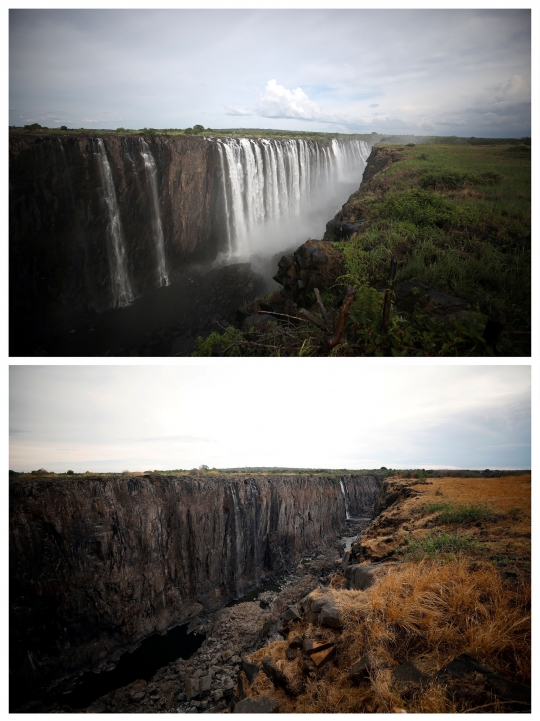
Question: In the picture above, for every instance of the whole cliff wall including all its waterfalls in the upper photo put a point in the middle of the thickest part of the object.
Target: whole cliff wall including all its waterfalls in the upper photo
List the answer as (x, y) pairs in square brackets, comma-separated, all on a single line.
[(98, 222)]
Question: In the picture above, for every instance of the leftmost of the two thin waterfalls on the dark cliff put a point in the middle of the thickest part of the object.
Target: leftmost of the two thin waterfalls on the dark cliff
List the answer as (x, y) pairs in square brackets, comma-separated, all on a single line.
[(120, 284)]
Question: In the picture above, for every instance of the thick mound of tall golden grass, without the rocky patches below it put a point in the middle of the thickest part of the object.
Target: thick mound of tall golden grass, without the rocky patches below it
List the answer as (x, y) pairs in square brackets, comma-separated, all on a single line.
[(441, 609)]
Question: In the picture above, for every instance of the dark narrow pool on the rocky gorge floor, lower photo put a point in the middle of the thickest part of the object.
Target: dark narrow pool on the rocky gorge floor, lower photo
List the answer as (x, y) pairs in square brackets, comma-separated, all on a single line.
[(153, 653)]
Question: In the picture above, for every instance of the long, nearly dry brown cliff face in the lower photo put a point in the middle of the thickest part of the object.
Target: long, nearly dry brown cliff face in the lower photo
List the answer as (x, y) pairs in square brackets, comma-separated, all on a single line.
[(99, 564)]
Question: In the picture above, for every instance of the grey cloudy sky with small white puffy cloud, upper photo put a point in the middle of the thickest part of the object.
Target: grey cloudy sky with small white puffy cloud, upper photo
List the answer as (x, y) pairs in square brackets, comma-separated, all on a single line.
[(441, 72)]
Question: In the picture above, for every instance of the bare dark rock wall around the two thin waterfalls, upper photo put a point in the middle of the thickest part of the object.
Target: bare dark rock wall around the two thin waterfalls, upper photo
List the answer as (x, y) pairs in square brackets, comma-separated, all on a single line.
[(59, 263)]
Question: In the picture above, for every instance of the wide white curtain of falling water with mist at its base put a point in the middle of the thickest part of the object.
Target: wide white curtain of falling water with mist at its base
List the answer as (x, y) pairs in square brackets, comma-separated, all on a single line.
[(269, 183)]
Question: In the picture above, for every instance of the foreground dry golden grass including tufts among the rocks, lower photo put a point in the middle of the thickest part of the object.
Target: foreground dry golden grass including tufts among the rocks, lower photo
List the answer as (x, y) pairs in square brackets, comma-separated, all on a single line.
[(425, 611)]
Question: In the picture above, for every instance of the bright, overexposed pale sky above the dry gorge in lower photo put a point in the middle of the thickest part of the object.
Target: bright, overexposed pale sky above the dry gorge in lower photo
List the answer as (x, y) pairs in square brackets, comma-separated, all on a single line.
[(115, 418)]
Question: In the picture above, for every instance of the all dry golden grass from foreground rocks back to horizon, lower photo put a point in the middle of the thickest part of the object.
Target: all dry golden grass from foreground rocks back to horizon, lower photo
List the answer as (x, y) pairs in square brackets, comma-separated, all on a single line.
[(426, 611)]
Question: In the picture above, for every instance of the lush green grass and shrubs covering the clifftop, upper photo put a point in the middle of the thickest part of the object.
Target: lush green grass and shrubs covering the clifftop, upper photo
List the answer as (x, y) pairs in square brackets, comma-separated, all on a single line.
[(457, 217)]
